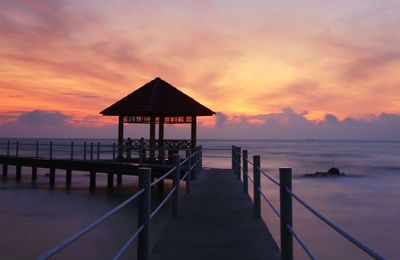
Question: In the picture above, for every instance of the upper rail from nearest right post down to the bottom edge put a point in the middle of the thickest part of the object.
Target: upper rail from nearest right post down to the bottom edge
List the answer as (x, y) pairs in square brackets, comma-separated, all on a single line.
[(338, 229)]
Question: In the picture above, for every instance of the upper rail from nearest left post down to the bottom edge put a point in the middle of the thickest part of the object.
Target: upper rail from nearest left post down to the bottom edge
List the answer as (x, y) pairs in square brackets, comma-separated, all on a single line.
[(54, 250)]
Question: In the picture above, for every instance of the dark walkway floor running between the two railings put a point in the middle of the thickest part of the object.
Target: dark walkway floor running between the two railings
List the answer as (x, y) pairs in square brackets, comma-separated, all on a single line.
[(216, 222)]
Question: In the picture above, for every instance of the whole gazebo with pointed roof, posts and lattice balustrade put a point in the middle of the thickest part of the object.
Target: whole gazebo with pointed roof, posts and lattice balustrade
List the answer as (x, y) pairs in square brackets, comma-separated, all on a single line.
[(156, 102)]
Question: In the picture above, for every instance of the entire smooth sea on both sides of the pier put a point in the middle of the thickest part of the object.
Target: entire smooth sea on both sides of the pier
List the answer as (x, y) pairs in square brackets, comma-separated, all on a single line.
[(365, 202)]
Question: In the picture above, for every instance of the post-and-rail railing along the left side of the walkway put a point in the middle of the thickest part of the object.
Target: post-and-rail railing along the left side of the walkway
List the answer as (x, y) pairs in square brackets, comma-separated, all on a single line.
[(192, 164)]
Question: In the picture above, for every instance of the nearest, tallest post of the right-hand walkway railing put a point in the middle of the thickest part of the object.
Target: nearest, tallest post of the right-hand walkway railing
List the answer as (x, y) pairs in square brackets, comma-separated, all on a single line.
[(285, 181)]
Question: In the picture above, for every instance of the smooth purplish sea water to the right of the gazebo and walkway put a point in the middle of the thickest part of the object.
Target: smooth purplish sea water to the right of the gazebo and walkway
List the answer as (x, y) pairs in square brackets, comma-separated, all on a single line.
[(366, 202)]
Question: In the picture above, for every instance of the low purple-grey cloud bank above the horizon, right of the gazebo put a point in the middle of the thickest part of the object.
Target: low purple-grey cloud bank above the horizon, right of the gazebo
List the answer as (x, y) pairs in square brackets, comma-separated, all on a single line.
[(289, 124)]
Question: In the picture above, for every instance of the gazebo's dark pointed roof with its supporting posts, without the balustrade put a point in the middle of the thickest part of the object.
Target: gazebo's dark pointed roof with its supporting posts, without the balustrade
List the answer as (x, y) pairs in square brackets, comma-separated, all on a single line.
[(157, 102)]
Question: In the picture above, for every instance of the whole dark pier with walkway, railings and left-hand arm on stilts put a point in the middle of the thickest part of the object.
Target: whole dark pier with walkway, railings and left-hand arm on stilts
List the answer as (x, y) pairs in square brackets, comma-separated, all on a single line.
[(216, 218)]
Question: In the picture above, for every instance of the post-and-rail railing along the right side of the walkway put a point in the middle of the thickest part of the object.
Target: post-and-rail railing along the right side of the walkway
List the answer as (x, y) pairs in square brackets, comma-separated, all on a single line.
[(285, 213)]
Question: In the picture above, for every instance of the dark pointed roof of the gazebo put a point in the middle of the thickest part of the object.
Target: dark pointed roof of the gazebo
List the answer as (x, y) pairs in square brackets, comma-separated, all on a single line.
[(157, 98)]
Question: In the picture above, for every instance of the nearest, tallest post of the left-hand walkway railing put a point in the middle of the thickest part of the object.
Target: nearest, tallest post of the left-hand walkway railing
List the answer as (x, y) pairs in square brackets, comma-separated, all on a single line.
[(144, 213)]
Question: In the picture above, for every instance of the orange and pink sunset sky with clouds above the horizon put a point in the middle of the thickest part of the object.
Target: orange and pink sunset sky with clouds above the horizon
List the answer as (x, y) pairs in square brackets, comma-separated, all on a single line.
[(270, 69)]
